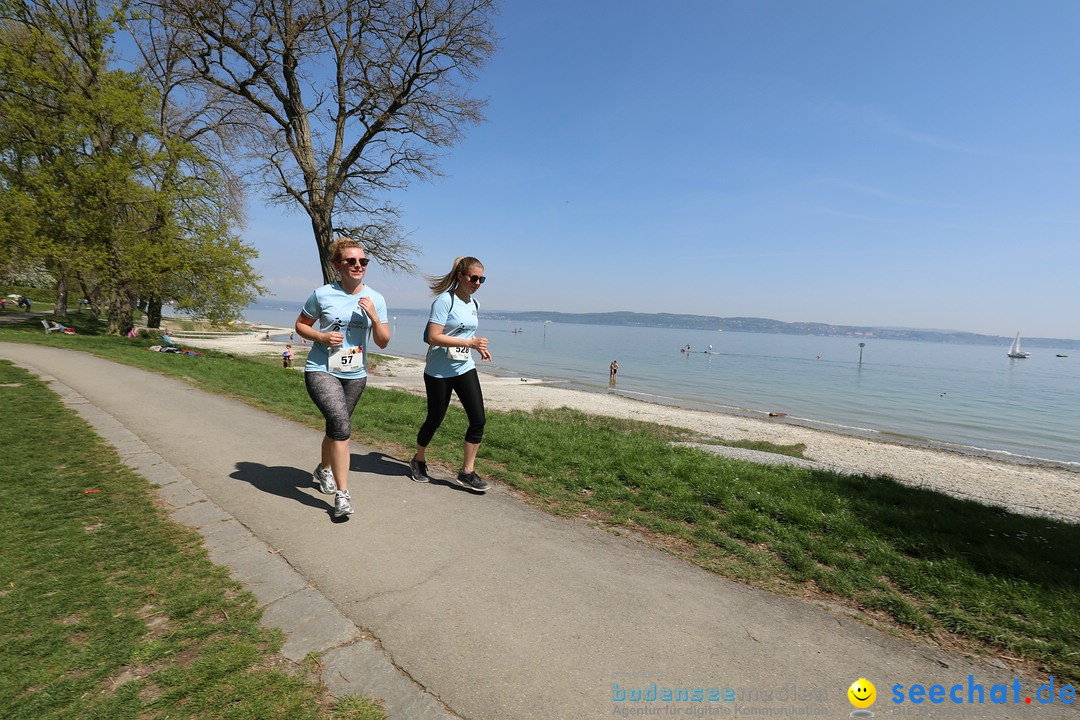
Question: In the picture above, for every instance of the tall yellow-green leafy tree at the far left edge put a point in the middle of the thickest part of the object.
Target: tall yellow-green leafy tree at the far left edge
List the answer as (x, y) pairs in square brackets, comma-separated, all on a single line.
[(75, 142)]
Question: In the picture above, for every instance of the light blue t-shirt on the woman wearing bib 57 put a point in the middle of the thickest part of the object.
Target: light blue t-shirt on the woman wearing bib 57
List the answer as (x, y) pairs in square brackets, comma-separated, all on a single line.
[(332, 306)]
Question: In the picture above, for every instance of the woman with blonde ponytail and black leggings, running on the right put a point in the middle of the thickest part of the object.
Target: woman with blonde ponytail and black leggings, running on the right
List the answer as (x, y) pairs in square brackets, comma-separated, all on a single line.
[(452, 336)]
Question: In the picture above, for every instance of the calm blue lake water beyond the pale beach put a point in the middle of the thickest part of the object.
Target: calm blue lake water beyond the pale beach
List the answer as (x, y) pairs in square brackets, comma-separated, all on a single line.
[(969, 398)]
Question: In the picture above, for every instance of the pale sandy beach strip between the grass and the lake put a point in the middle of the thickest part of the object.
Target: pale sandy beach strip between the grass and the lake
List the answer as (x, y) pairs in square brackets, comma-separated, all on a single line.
[(1025, 488)]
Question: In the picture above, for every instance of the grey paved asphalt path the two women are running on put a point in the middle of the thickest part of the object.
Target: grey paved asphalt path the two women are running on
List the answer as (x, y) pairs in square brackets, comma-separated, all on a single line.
[(448, 604)]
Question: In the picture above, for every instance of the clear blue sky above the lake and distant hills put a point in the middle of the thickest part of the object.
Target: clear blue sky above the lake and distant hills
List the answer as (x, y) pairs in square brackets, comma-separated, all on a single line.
[(890, 162)]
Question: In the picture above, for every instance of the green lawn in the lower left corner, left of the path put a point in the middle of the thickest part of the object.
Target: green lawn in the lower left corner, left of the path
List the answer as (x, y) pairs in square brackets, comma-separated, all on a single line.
[(110, 609)]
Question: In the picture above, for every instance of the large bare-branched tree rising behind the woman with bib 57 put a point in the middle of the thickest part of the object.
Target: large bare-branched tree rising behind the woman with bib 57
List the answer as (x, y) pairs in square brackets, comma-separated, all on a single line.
[(334, 103)]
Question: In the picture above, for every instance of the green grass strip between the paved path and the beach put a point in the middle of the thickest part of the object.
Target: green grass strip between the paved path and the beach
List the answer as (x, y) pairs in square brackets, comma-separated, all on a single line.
[(914, 561)]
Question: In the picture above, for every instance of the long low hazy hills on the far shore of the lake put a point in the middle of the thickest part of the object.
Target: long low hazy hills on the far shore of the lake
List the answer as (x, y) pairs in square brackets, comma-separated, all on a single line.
[(777, 328)]
